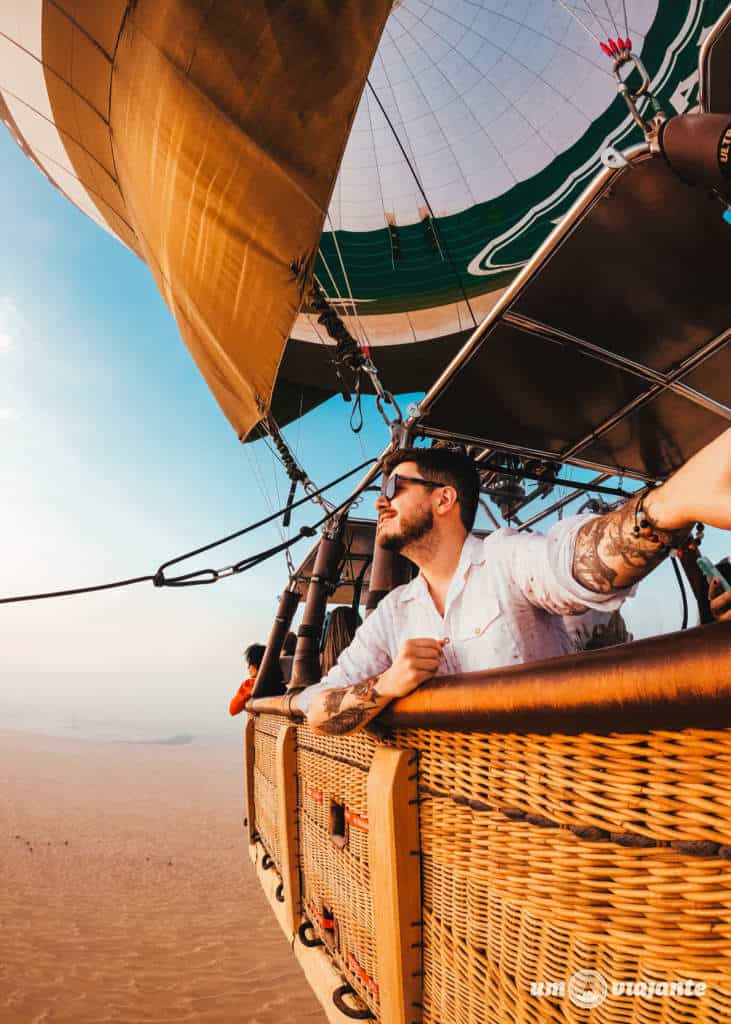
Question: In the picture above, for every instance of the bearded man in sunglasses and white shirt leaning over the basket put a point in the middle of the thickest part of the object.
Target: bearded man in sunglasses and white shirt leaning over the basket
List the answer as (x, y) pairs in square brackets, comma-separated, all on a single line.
[(484, 605)]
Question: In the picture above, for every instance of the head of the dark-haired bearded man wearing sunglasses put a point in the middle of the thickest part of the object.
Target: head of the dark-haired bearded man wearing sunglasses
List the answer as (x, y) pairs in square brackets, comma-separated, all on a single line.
[(431, 488)]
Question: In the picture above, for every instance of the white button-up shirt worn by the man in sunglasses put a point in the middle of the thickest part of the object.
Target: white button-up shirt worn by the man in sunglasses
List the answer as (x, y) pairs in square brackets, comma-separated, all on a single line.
[(504, 607)]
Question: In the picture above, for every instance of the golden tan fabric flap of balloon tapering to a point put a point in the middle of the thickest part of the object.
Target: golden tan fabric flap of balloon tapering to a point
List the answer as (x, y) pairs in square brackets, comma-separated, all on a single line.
[(209, 139)]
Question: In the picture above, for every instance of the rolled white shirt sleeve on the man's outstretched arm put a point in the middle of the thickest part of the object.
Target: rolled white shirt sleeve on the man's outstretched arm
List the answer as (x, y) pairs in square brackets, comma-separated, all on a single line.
[(543, 569)]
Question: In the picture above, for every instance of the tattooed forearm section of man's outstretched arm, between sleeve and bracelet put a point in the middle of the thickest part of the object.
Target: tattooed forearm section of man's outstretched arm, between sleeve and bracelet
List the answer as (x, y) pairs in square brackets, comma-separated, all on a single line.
[(610, 554)]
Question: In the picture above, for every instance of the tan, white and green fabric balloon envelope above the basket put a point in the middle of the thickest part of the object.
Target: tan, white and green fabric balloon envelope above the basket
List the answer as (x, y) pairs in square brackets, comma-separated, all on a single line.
[(403, 168)]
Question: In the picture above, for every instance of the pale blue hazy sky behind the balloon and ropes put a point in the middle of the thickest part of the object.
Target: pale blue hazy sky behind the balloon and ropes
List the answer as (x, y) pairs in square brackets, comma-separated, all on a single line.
[(114, 458)]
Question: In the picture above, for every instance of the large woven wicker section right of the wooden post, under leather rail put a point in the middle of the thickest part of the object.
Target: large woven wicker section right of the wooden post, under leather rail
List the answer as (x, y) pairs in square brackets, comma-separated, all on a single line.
[(545, 856)]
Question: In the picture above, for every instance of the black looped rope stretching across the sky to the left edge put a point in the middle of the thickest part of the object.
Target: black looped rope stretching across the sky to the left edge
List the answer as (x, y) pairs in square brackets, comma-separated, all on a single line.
[(213, 576)]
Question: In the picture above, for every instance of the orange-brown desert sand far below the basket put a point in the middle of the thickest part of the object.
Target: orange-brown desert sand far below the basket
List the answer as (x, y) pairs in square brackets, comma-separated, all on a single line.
[(126, 892)]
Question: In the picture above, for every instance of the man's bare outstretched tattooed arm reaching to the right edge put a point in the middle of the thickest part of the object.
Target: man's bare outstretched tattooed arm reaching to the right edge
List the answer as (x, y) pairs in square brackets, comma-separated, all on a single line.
[(611, 553)]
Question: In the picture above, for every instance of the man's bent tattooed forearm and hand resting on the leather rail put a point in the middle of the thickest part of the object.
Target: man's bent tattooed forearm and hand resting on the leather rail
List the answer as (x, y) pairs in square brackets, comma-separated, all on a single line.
[(347, 709)]
